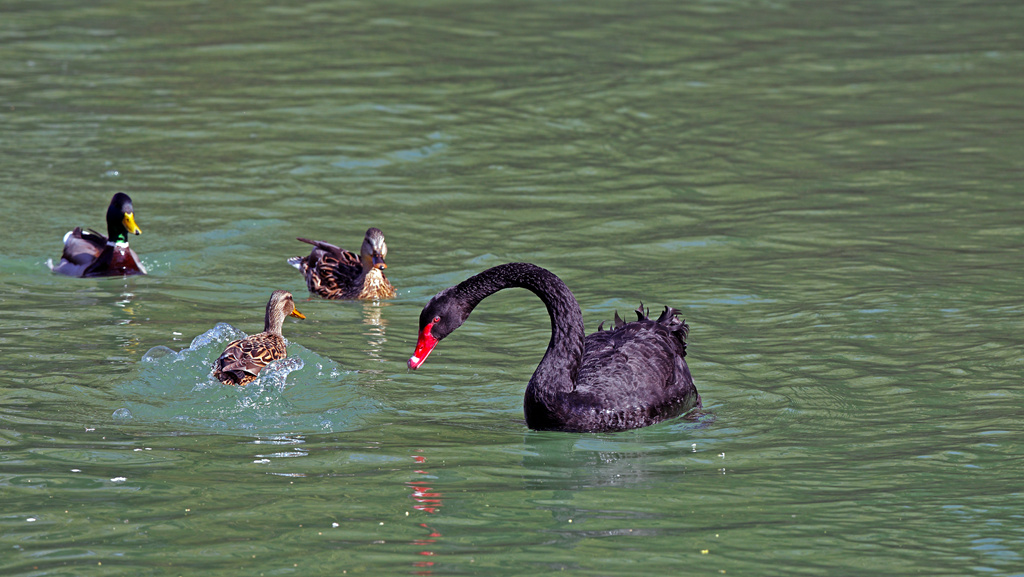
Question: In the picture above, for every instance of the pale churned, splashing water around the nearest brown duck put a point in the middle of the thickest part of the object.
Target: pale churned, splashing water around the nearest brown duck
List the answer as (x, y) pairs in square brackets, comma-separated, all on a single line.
[(179, 390)]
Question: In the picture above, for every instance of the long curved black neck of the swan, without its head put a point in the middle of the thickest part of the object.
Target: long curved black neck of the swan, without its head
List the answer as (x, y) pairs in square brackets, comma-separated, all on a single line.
[(558, 372)]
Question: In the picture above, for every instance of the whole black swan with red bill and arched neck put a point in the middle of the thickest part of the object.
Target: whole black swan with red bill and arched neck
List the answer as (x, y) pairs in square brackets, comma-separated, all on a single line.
[(627, 378)]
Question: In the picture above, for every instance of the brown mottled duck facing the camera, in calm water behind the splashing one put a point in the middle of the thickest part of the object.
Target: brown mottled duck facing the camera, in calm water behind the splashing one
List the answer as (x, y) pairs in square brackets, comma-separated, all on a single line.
[(334, 273)]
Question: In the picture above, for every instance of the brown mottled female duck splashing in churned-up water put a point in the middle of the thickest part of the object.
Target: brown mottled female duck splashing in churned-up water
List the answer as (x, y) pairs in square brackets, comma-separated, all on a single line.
[(244, 359)]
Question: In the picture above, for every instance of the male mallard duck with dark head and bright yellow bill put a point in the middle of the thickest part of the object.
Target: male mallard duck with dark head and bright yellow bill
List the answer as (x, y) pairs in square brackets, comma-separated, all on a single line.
[(88, 254)]
